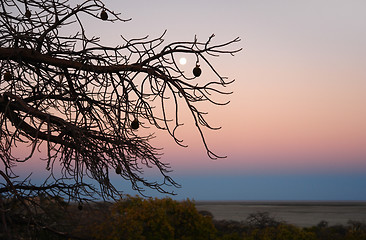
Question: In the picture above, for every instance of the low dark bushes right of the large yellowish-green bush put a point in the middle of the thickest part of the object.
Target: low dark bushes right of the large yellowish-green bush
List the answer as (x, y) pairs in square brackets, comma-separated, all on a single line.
[(267, 228)]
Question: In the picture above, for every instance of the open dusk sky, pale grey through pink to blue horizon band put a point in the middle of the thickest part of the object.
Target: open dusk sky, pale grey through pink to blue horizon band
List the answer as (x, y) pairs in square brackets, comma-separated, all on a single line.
[(295, 126)]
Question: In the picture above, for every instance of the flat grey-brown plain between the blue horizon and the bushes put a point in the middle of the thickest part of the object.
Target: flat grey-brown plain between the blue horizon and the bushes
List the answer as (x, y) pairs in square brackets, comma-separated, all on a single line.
[(302, 214)]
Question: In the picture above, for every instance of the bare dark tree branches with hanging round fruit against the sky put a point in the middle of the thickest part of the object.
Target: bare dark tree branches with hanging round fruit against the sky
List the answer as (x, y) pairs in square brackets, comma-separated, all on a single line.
[(83, 104)]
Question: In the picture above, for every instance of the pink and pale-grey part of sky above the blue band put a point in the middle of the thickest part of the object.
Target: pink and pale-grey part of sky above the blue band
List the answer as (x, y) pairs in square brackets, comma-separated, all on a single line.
[(299, 100)]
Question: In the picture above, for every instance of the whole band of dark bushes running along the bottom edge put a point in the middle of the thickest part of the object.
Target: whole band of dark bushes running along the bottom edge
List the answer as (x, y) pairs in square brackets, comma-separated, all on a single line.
[(135, 218)]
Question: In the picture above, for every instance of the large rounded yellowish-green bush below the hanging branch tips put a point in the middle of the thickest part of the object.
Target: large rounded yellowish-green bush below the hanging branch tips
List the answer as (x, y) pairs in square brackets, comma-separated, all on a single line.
[(137, 218)]
